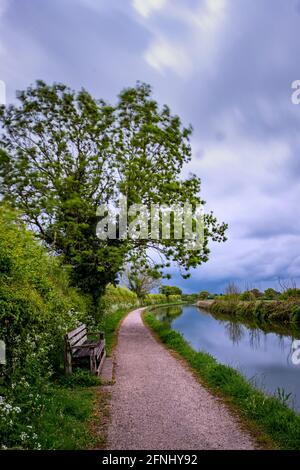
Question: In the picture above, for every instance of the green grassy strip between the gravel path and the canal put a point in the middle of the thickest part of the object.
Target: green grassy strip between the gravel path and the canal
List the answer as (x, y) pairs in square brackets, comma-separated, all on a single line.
[(269, 417)]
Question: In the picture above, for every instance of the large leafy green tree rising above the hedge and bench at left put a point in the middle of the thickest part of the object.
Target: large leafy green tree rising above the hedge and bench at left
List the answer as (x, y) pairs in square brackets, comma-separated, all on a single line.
[(63, 153)]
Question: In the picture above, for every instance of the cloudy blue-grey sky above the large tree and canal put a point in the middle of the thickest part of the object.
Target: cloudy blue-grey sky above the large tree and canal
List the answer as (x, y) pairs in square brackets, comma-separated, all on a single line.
[(226, 67)]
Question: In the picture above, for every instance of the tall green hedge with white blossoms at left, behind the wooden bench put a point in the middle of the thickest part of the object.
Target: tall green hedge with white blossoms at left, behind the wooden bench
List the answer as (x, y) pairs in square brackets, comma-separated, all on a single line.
[(37, 307)]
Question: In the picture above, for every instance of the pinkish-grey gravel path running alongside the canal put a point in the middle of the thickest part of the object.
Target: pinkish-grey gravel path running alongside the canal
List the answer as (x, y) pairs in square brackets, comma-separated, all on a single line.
[(158, 404)]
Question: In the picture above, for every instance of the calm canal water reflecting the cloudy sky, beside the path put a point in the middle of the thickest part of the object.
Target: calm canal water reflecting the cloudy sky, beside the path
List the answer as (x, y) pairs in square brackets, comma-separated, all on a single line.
[(267, 358)]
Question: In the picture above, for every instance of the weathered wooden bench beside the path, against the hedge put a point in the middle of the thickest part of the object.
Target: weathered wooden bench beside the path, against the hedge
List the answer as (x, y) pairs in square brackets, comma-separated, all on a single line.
[(80, 352)]
